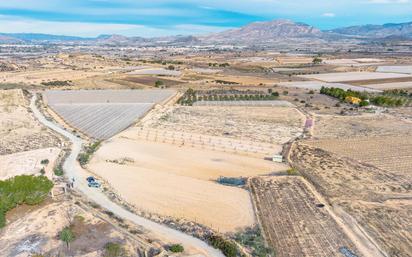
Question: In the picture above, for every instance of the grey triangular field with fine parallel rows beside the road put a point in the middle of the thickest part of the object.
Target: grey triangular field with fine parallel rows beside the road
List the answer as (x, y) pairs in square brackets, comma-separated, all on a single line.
[(101, 121)]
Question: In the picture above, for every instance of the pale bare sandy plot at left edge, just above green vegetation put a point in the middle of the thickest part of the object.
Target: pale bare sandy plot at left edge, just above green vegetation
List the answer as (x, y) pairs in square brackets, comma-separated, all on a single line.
[(28, 163)]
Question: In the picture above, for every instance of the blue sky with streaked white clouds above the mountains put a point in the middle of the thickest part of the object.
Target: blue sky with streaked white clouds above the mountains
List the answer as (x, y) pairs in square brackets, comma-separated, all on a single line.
[(90, 18)]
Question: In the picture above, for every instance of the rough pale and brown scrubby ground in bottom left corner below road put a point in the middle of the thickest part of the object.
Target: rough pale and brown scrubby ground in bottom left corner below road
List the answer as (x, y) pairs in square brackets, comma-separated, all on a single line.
[(36, 232)]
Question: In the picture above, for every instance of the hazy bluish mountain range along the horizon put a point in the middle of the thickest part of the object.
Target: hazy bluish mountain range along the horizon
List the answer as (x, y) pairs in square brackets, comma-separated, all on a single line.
[(257, 32)]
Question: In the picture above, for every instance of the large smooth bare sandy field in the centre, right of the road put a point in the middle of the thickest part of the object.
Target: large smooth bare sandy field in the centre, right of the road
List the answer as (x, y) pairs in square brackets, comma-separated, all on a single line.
[(176, 181)]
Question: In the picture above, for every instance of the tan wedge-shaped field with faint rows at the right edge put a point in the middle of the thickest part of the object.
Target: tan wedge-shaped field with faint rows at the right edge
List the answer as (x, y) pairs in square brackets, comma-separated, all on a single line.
[(392, 153)]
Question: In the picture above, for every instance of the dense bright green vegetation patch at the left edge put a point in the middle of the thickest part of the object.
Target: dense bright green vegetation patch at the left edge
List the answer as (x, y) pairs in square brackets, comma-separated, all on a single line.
[(23, 189)]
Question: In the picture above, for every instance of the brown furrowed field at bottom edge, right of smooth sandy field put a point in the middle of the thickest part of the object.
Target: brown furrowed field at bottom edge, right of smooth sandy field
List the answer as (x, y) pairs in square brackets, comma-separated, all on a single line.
[(293, 221)]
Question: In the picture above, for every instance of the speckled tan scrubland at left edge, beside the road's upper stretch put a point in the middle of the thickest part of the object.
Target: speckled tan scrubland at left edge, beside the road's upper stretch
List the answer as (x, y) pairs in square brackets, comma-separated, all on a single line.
[(19, 130)]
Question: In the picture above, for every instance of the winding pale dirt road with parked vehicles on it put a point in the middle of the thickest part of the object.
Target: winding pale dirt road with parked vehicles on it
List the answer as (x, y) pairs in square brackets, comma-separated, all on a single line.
[(74, 170)]
